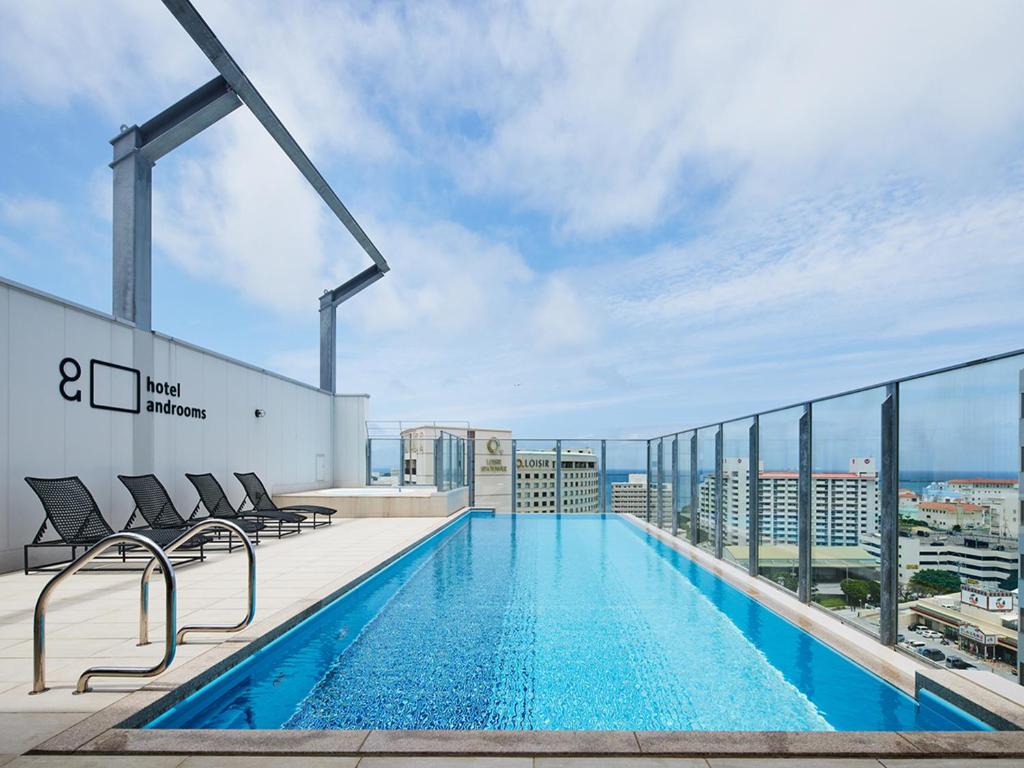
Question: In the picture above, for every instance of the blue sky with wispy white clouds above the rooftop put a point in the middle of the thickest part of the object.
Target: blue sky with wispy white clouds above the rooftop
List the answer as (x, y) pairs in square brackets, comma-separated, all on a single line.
[(612, 225)]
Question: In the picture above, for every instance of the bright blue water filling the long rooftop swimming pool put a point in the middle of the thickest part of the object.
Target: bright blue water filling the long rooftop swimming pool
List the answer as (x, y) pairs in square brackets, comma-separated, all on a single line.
[(538, 622)]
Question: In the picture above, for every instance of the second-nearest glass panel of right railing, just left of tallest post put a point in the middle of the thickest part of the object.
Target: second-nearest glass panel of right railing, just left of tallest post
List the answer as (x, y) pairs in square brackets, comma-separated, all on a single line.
[(846, 450)]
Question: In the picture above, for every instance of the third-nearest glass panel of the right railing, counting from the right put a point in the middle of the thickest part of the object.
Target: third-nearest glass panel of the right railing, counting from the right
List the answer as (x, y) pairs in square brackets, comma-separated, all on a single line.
[(778, 491)]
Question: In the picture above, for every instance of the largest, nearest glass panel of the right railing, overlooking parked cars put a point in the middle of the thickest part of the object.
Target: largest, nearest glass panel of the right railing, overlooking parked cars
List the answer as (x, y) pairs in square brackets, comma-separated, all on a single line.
[(960, 515)]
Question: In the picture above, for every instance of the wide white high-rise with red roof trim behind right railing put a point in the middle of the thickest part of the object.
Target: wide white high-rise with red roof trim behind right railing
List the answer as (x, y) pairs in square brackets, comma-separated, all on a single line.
[(846, 504)]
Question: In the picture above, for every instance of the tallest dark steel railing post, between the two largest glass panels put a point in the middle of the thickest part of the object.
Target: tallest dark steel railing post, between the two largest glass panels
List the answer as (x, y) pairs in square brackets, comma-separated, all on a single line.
[(889, 524)]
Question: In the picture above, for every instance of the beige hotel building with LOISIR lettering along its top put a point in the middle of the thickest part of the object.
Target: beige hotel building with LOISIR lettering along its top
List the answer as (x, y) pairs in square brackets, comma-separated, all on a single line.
[(537, 478)]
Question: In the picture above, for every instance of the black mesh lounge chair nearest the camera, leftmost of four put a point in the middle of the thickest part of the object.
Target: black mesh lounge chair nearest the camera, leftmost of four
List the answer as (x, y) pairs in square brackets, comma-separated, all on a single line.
[(76, 520)]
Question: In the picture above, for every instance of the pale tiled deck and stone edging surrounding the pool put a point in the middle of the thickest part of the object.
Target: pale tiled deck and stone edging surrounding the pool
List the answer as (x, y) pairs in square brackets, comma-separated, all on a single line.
[(94, 620)]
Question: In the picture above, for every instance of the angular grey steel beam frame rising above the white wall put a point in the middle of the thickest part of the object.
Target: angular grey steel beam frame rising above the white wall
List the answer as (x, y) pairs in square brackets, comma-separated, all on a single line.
[(137, 149)]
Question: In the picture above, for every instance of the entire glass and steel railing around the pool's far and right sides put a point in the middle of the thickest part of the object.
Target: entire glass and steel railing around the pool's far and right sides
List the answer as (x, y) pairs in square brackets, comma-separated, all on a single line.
[(890, 505)]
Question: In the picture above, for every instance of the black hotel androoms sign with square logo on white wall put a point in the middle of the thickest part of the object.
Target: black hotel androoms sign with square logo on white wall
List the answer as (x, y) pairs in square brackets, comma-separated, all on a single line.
[(162, 396)]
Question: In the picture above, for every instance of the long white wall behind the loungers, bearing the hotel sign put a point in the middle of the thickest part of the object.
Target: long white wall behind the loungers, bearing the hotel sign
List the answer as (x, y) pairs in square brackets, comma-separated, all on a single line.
[(292, 447)]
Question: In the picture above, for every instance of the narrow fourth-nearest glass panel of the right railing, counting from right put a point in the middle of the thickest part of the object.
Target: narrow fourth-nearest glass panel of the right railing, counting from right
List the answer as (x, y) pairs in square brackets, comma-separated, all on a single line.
[(736, 491)]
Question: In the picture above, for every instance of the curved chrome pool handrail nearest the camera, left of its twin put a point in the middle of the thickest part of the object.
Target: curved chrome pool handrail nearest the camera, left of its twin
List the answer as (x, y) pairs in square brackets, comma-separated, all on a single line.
[(39, 618)]
